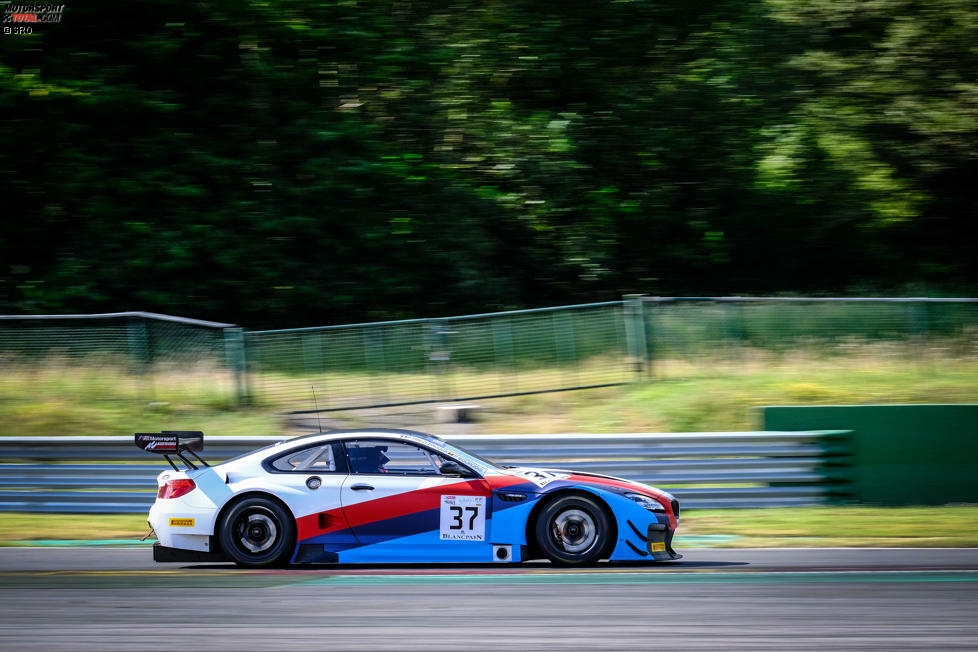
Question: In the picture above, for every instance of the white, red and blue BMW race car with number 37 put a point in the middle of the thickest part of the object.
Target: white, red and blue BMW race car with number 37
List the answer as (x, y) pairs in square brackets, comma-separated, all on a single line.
[(395, 496)]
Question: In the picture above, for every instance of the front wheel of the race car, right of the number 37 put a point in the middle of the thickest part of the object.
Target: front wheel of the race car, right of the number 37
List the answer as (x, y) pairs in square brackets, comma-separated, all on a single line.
[(573, 530)]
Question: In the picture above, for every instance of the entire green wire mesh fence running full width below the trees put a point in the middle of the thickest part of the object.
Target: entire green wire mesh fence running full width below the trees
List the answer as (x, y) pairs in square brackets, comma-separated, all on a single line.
[(157, 359)]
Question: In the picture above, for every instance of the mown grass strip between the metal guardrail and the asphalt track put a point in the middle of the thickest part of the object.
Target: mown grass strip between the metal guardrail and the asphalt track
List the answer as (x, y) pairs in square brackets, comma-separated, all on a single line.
[(915, 527)]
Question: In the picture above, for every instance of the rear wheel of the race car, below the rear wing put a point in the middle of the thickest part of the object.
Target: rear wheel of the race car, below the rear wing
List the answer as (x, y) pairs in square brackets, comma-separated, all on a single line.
[(258, 532)]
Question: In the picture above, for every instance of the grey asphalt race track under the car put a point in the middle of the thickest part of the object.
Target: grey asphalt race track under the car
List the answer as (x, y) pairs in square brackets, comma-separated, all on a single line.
[(713, 599)]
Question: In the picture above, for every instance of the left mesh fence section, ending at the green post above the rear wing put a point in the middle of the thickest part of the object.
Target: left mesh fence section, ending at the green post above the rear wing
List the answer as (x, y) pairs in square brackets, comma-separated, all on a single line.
[(116, 357)]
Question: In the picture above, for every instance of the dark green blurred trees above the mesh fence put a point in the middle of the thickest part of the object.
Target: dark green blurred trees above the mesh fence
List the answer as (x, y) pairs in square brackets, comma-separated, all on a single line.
[(288, 162)]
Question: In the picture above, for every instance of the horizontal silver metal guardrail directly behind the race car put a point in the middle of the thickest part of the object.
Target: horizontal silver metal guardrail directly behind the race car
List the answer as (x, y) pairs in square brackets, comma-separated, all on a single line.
[(704, 470)]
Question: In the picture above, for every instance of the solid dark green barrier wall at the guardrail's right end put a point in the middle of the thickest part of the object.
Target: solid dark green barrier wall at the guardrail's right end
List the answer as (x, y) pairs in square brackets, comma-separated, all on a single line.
[(902, 454)]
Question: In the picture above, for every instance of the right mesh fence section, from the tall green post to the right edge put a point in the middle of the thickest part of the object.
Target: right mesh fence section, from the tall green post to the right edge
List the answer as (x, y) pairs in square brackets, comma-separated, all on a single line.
[(692, 335)]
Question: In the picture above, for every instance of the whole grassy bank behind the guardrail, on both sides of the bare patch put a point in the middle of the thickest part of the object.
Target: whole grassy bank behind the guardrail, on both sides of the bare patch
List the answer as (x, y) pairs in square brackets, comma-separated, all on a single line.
[(684, 395)]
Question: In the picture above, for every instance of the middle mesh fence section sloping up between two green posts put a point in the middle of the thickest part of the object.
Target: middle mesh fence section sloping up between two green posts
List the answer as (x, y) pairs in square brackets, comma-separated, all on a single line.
[(438, 360)]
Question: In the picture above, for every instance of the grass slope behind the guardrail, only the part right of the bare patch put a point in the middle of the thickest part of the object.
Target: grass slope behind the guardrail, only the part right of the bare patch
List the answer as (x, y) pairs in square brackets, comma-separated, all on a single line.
[(727, 398)]
